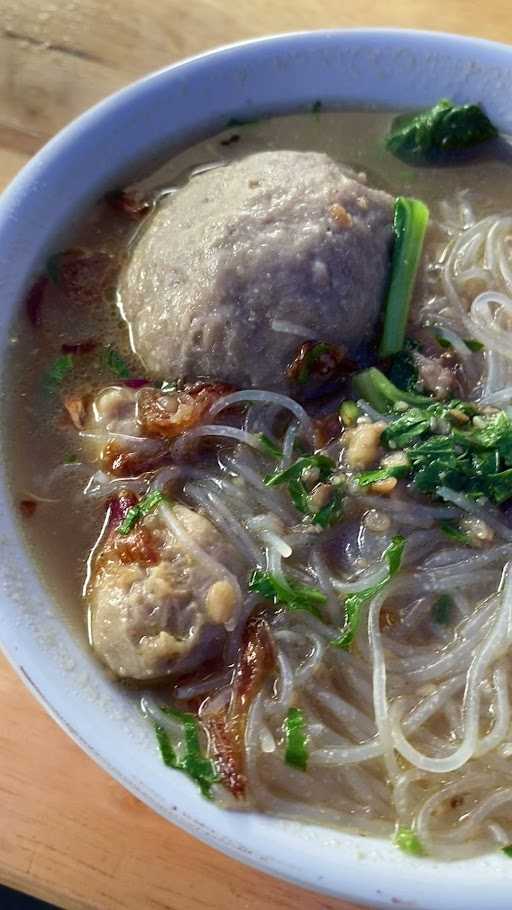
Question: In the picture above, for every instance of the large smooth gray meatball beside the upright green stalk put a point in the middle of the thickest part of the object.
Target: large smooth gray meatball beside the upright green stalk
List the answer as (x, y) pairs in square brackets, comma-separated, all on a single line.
[(277, 237)]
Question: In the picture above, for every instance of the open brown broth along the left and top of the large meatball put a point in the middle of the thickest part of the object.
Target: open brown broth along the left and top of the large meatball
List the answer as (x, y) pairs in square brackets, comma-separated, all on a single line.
[(61, 533)]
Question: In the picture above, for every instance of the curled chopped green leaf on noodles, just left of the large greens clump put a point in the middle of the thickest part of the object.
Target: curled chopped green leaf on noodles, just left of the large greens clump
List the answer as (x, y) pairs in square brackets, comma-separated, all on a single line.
[(301, 477)]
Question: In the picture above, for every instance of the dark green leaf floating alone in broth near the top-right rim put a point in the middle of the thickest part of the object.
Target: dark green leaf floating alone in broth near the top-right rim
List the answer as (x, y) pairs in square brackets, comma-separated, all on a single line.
[(442, 129)]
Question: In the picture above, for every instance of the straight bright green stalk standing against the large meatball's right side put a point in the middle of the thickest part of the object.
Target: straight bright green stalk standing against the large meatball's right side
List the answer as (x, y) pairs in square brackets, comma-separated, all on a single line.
[(409, 226)]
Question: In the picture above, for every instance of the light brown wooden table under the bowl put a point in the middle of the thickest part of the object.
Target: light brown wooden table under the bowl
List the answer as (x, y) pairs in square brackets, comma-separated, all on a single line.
[(68, 833)]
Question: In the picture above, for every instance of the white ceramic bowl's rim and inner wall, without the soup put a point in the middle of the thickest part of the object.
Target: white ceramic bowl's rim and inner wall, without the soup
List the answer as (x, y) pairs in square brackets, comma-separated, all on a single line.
[(99, 150)]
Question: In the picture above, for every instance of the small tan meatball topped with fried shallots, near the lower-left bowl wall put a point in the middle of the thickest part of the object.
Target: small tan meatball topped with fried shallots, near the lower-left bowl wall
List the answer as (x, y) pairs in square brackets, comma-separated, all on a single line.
[(159, 606)]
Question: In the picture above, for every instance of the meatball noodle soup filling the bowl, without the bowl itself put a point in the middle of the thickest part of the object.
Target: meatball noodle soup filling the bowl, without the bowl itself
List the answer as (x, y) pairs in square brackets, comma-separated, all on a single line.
[(270, 391)]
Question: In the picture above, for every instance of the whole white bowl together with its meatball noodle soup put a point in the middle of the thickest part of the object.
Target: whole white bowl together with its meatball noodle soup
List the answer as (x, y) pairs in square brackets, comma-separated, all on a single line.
[(257, 454)]
